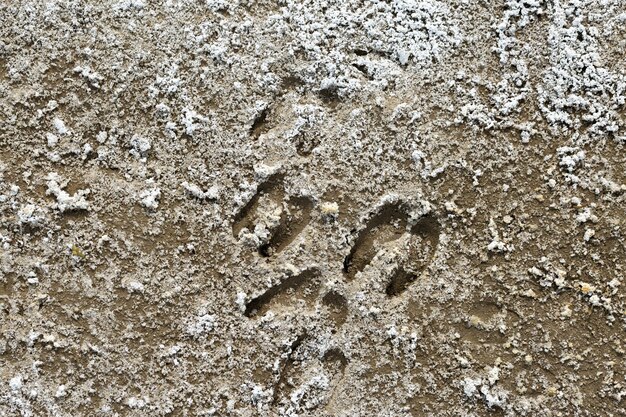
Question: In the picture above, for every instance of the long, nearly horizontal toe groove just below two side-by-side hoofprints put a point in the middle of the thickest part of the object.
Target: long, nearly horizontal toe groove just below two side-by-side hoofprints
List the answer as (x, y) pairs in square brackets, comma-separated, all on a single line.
[(303, 285)]
